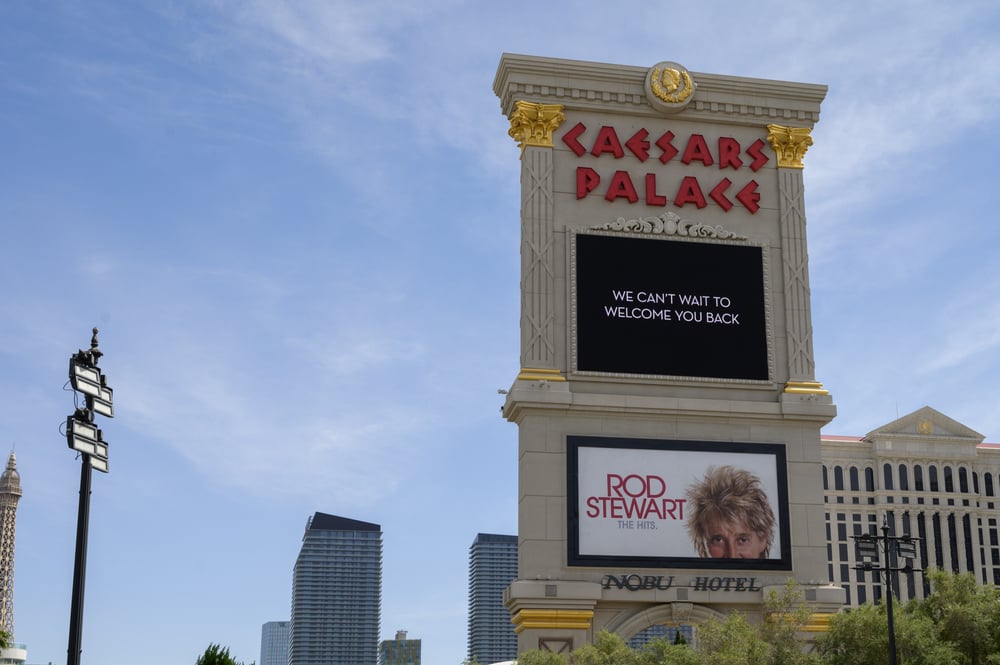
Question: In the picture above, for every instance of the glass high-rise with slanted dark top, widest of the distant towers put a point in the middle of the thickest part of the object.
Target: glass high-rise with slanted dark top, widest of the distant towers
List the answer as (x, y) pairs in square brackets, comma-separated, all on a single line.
[(336, 593)]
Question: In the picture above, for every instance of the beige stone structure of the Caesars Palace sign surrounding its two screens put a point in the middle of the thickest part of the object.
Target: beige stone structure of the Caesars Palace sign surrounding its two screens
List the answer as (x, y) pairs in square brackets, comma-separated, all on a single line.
[(597, 144)]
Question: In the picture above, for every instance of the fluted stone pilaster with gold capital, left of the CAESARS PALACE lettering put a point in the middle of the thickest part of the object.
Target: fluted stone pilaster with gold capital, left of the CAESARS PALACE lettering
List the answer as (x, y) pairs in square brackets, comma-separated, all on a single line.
[(532, 126)]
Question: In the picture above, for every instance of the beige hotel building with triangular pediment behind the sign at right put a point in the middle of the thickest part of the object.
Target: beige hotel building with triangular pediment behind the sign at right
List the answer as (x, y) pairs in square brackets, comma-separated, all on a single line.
[(934, 479)]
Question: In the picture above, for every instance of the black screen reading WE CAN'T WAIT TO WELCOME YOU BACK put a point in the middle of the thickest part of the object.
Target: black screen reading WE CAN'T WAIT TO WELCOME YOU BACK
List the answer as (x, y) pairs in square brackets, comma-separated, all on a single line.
[(654, 306)]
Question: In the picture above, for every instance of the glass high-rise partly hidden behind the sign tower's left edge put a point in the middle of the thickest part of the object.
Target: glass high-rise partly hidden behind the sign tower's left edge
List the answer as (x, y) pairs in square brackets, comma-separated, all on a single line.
[(492, 567)]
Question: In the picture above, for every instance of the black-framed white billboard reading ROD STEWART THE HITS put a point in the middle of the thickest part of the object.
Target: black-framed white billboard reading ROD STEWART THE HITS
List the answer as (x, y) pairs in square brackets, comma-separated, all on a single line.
[(677, 504)]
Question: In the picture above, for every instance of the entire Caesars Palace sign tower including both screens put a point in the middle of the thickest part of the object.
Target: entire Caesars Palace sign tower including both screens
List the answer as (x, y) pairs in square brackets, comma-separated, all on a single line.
[(667, 407)]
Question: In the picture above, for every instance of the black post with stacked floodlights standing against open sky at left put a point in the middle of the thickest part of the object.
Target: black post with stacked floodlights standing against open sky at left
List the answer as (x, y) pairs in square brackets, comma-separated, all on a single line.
[(85, 438)]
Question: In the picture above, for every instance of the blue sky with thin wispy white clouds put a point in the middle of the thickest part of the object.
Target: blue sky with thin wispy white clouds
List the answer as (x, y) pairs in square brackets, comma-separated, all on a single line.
[(296, 225)]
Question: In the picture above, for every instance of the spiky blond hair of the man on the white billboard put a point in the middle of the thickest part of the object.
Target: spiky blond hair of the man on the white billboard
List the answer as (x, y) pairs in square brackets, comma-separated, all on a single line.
[(728, 495)]
